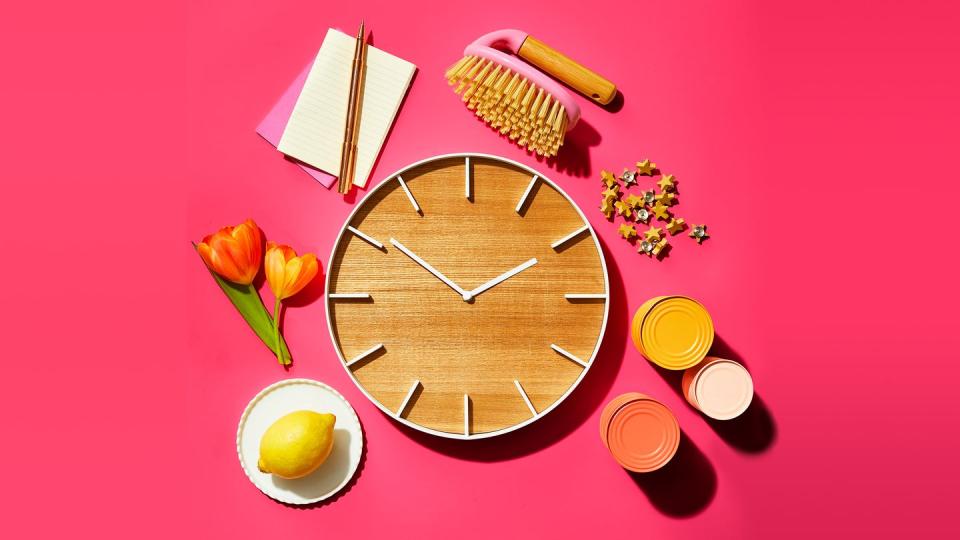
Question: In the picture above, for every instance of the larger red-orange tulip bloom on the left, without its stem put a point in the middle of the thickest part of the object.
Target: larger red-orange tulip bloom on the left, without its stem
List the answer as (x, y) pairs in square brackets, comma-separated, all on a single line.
[(233, 252)]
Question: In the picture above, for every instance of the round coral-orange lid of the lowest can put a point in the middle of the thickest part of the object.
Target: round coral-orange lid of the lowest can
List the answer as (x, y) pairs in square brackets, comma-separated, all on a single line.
[(643, 435)]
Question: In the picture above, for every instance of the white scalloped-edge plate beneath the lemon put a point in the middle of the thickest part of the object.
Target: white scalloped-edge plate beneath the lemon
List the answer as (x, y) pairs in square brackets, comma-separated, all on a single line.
[(284, 397)]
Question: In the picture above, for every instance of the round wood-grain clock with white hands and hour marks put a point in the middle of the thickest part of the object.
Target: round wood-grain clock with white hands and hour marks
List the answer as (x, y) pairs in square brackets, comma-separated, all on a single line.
[(467, 295)]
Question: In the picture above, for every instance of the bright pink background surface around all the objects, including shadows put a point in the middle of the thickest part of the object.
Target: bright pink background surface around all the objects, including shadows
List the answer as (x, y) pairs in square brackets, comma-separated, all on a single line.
[(817, 139)]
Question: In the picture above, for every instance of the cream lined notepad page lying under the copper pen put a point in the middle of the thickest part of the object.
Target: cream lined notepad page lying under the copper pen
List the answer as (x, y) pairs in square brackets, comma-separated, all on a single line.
[(314, 133)]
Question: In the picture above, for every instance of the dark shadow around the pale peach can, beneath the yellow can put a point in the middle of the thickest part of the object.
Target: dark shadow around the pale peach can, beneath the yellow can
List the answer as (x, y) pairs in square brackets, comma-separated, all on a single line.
[(752, 432)]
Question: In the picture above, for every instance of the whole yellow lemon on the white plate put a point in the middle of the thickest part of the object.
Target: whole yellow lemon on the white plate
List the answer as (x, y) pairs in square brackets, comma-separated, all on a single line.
[(296, 444)]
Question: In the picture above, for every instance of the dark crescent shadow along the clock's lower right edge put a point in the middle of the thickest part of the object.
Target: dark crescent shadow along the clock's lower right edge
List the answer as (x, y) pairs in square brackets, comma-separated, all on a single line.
[(570, 414)]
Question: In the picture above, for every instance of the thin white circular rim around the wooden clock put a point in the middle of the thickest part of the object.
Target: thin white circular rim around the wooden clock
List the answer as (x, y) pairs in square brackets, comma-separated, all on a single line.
[(540, 414)]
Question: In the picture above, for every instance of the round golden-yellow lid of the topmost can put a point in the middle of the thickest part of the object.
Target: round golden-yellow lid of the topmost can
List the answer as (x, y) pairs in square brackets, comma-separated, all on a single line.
[(677, 333)]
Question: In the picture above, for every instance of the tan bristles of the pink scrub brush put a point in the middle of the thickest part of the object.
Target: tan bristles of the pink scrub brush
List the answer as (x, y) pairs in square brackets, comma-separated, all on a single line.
[(510, 104)]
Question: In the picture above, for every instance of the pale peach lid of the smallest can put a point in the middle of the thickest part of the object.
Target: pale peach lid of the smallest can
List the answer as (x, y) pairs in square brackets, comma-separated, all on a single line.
[(723, 389)]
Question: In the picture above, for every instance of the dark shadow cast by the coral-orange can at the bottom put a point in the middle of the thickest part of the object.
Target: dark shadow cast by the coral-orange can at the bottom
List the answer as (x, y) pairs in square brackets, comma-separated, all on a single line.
[(685, 486)]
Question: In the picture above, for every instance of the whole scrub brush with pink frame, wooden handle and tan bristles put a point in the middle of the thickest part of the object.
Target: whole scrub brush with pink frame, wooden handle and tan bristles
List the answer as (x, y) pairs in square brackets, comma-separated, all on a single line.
[(515, 98)]
